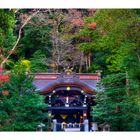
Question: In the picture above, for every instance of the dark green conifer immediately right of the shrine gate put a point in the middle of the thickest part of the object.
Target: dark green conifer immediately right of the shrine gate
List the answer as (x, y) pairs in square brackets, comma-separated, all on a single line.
[(115, 105)]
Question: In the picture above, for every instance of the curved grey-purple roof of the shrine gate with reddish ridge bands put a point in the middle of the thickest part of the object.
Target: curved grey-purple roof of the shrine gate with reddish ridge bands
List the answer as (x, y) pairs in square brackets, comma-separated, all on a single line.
[(45, 81)]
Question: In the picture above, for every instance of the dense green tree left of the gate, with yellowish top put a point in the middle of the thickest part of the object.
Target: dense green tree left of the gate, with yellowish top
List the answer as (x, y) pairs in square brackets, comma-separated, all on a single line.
[(23, 108)]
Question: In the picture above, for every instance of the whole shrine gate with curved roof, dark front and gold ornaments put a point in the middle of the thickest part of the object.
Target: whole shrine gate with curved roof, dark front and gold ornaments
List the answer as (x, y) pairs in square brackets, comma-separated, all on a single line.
[(69, 96)]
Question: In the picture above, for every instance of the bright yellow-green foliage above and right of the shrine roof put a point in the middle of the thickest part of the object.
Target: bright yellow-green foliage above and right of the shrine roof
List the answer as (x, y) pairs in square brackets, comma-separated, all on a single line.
[(108, 37)]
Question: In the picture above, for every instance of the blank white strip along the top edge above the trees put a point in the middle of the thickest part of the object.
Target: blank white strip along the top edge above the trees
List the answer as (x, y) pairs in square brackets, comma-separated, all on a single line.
[(69, 3)]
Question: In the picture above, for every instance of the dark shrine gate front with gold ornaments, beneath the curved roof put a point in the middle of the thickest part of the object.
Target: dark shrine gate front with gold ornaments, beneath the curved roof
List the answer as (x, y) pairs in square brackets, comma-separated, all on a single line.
[(70, 108)]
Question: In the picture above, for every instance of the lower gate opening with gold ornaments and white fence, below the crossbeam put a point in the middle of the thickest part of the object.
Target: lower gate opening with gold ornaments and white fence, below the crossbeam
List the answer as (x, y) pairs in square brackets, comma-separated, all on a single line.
[(68, 119)]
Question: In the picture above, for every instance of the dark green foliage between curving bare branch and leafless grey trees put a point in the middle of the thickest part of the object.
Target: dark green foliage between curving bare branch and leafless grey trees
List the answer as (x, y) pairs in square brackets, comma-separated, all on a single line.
[(35, 45)]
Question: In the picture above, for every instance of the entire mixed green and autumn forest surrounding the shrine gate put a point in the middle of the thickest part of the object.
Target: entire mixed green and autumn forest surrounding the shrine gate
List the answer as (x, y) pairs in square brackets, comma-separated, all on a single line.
[(48, 40)]
